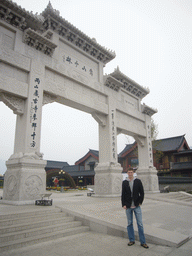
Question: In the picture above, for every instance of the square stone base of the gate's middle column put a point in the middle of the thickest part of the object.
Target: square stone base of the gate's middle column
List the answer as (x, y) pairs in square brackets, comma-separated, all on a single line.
[(108, 180)]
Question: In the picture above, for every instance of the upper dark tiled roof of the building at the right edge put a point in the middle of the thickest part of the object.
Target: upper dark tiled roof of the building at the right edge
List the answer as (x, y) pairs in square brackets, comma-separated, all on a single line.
[(170, 144)]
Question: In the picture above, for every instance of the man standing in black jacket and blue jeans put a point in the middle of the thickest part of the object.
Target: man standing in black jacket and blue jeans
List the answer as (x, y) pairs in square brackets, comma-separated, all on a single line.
[(132, 198)]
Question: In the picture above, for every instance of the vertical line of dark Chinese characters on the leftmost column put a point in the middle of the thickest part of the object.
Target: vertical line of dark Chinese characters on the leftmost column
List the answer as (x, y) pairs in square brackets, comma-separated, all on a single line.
[(34, 111)]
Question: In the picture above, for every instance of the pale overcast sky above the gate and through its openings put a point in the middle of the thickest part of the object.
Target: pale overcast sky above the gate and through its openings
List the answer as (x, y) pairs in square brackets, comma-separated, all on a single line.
[(153, 45)]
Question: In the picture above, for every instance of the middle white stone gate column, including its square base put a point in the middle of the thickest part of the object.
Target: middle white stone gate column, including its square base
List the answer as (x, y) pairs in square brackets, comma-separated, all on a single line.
[(108, 177)]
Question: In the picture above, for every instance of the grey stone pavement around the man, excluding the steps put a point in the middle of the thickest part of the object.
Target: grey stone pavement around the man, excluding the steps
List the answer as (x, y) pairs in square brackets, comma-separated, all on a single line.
[(165, 221)]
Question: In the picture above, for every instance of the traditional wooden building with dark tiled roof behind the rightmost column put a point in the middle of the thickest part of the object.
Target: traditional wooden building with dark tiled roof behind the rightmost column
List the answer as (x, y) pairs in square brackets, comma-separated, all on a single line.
[(171, 157)]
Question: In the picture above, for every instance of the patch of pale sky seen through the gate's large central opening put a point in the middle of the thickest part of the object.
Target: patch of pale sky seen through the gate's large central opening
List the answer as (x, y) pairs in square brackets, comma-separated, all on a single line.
[(68, 132)]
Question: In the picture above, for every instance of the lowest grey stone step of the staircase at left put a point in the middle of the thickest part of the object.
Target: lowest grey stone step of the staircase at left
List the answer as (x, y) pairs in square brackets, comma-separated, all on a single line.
[(42, 238)]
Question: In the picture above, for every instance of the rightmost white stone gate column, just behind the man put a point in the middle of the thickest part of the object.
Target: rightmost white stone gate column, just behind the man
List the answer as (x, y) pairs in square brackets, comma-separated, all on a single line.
[(146, 171)]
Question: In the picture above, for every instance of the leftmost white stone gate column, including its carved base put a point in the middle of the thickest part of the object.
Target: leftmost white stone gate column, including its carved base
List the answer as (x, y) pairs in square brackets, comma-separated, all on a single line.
[(25, 178)]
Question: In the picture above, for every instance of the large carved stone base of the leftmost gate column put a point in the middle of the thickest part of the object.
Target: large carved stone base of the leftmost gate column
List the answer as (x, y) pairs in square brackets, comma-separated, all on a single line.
[(24, 181)]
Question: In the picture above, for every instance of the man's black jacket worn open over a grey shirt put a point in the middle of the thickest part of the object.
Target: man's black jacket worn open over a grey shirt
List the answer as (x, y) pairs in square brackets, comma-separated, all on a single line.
[(138, 193)]
